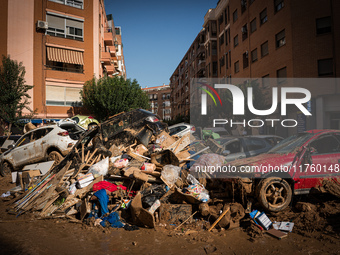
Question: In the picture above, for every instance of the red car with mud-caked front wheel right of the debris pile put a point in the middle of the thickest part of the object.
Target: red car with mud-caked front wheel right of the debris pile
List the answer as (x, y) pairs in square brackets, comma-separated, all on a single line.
[(295, 166)]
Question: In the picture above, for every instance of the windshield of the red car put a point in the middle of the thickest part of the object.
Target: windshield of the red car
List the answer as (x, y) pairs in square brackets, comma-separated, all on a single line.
[(289, 144)]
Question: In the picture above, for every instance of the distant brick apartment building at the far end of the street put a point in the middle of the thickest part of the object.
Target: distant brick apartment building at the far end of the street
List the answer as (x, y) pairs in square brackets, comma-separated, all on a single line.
[(159, 99)]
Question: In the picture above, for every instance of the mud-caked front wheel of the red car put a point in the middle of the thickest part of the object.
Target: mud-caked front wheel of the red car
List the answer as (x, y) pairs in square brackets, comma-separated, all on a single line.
[(274, 194)]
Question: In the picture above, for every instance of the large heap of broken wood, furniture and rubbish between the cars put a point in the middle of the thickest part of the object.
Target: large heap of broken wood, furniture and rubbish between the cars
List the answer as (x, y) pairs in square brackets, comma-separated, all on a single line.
[(126, 172)]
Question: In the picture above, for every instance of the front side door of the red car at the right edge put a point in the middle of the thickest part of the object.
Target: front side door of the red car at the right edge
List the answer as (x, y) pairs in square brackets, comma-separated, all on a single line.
[(324, 161)]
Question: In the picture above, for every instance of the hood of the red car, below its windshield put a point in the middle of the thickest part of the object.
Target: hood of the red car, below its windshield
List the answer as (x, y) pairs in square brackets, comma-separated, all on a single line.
[(265, 159)]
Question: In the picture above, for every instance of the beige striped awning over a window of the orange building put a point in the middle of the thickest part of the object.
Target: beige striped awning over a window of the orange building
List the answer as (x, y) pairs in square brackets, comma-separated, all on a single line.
[(65, 56)]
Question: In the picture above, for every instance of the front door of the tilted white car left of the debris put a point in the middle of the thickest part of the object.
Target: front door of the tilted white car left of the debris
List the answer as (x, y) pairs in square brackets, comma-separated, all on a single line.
[(24, 150)]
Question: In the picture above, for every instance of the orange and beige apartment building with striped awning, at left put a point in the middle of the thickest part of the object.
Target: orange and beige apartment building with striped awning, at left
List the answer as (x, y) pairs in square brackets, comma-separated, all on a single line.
[(62, 44)]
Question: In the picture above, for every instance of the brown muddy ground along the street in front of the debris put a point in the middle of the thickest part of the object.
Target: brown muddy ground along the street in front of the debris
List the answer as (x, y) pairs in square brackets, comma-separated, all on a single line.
[(316, 231)]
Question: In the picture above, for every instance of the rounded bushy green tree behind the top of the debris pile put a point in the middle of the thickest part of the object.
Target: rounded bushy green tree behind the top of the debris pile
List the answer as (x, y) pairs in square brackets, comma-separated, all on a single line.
[(107, 96)]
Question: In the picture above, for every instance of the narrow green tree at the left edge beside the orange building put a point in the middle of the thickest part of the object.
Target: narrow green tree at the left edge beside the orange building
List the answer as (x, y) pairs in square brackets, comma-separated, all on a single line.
[(13, 96)]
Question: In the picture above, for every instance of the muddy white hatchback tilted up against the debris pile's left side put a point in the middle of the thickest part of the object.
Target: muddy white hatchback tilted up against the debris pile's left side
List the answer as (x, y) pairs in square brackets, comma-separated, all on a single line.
[(45, 143)]
